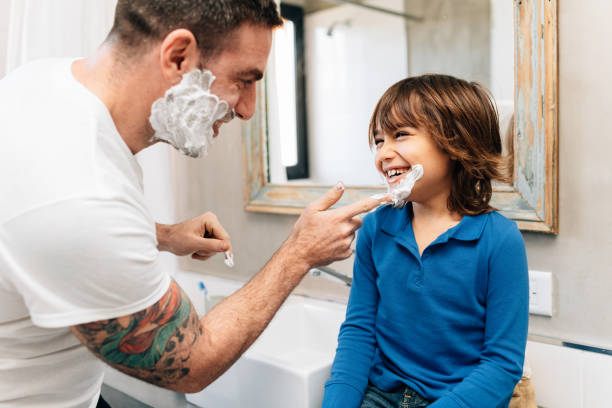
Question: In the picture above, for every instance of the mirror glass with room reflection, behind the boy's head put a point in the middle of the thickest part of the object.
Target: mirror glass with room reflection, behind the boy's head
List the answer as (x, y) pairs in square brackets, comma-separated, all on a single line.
[(334, 59)]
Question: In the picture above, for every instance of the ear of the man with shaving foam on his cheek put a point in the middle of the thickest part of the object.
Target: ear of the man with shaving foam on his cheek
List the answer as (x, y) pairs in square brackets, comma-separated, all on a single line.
[(178, 55)]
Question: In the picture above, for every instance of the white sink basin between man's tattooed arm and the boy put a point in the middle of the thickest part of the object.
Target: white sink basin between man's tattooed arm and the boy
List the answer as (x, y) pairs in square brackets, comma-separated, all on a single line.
[(287, 366)]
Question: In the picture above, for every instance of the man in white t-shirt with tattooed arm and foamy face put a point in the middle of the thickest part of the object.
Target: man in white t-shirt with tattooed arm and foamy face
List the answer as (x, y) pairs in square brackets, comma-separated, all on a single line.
[(79, 276)]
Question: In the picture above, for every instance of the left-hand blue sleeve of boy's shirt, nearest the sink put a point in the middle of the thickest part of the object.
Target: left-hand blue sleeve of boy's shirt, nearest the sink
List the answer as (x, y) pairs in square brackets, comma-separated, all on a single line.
[(356, 341)]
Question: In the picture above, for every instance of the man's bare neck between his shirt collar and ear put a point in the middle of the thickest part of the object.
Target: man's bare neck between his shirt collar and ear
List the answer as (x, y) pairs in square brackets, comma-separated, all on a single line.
[(127, 91)]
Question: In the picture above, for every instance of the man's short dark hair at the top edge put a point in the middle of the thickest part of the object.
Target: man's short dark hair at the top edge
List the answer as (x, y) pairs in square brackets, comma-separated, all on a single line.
[(140, 22)]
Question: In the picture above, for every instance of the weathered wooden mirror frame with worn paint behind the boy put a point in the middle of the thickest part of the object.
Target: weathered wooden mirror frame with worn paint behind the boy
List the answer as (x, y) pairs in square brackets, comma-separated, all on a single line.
[(532, 200)]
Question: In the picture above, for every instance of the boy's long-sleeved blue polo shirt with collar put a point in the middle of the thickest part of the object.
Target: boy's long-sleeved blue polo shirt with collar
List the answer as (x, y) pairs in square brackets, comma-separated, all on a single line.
[(451, 324)]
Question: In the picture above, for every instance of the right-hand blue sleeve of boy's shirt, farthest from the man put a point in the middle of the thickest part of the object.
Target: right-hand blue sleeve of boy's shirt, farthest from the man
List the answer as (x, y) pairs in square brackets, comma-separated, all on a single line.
[(491, 383)]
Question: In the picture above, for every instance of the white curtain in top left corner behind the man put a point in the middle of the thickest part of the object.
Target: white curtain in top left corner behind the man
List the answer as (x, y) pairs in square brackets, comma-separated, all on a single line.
[(56, 28)]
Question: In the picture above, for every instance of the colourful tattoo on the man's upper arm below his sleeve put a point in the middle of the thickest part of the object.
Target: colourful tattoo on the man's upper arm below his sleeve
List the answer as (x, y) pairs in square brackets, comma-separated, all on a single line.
[(153, 344)]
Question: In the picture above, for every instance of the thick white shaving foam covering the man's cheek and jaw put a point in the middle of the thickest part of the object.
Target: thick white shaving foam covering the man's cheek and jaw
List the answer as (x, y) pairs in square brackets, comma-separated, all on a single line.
[(186, 115)]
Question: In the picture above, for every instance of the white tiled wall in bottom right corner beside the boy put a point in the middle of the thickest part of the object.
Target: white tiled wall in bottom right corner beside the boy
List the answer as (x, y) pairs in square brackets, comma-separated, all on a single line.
[(569, 378)]
